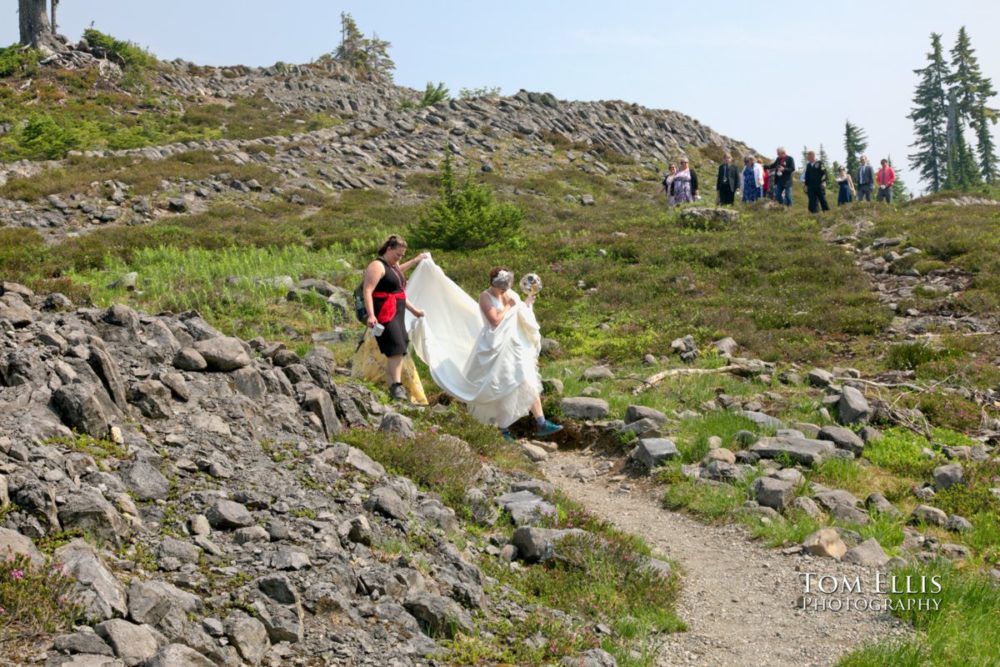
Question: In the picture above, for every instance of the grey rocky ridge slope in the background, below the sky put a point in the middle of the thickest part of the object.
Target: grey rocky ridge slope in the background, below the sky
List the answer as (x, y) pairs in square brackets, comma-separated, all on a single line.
[(374, 143)]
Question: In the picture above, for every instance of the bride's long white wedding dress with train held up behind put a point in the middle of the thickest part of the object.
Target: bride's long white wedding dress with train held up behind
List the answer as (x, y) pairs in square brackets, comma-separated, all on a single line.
[(494, 371)]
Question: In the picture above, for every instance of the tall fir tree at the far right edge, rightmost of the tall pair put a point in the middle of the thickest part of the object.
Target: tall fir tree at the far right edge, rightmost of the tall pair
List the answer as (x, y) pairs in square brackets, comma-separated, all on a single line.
[(972, 94)]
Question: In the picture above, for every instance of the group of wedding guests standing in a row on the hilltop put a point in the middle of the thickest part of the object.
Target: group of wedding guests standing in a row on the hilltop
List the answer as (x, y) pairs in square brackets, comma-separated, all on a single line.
[(774, 181)]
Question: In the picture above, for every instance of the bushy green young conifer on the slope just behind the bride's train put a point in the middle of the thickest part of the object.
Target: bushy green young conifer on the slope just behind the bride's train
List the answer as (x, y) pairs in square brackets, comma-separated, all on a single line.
[(465, 216)]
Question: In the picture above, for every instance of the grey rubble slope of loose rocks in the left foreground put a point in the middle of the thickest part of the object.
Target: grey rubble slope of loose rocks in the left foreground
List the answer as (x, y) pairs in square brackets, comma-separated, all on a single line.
[(192, 488)]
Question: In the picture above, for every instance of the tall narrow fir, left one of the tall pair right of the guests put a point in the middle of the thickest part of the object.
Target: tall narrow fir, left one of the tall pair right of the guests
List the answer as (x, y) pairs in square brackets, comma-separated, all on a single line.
[(930, 116)]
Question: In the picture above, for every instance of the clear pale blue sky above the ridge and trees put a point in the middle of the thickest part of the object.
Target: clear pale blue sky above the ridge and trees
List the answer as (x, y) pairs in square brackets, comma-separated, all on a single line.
[(766, 73)]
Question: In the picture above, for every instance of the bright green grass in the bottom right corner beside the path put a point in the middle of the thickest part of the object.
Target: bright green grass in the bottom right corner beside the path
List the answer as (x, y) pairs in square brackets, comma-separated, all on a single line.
[(958, 634)]
